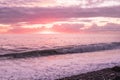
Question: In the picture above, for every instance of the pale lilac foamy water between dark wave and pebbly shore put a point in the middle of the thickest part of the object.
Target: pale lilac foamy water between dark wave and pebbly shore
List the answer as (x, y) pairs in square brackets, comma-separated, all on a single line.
[(54, 67)]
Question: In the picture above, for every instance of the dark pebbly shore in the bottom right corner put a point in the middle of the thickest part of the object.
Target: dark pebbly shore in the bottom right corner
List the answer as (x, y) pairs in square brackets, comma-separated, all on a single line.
[(104, 74)]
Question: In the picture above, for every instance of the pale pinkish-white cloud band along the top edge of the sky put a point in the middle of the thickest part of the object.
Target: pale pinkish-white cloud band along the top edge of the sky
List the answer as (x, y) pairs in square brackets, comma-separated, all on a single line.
[(56, 3)]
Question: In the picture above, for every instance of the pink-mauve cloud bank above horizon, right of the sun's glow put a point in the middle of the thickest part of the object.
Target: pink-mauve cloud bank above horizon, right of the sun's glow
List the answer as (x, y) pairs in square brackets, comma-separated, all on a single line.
[(81, 28)]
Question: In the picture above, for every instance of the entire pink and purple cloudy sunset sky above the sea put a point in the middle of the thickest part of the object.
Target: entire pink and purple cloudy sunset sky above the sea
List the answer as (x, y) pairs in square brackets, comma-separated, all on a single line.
[(59, 16)]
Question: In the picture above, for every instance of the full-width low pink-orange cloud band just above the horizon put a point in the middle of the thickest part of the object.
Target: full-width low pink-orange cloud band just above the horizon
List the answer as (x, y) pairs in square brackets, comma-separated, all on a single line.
[(61, 28)]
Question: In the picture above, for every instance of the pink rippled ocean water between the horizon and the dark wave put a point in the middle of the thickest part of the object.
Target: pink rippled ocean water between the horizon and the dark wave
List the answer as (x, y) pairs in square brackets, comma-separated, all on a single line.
[(21, 43)]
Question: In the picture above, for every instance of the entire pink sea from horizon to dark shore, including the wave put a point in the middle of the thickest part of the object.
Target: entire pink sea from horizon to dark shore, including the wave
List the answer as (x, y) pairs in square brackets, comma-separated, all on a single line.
[(54, 56)]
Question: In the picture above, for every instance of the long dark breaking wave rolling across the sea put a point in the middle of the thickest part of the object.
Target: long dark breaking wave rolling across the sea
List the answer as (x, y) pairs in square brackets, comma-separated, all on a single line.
[(65, 50)]
